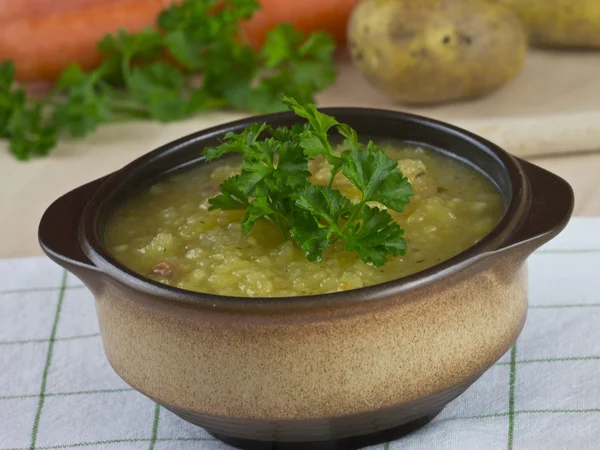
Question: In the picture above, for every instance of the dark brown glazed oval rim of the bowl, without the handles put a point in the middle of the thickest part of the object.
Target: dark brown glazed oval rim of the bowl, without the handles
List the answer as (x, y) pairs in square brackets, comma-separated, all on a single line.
[(92, 245)]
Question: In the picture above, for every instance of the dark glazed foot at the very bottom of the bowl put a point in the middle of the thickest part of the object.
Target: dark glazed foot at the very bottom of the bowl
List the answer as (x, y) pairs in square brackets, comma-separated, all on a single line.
[(349, 443)]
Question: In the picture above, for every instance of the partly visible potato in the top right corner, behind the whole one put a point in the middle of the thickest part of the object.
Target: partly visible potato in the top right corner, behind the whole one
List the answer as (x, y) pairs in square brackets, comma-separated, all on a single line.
[(559, 23)]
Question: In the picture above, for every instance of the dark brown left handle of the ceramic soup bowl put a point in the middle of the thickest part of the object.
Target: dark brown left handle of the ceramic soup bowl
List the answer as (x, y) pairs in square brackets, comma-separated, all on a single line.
[(58, 232)]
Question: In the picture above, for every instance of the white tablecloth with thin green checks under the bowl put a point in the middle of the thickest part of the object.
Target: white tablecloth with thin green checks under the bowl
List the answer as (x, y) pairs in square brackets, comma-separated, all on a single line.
[(57, 390)]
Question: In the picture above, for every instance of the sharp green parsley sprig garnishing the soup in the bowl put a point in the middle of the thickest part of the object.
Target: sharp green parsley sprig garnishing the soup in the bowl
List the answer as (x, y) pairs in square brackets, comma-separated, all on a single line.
[(274, 185)]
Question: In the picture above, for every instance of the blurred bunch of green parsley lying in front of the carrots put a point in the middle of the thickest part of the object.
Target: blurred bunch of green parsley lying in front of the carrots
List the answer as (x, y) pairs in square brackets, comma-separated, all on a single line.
[(152, 75)]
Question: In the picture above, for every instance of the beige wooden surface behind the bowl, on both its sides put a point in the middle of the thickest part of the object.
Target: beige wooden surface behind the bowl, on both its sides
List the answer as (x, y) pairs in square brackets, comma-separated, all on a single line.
[(550, 115)]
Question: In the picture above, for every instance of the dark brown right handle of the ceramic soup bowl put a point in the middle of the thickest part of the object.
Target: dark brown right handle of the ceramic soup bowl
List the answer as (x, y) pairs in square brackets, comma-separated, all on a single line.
[(550, 209)]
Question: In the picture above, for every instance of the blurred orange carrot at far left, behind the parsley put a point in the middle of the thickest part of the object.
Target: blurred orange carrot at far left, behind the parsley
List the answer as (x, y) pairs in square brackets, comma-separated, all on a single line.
[(43, 46)]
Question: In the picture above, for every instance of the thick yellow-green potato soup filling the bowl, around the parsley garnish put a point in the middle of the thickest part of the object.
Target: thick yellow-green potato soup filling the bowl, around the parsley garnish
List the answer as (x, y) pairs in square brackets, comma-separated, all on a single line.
[(166, 232)]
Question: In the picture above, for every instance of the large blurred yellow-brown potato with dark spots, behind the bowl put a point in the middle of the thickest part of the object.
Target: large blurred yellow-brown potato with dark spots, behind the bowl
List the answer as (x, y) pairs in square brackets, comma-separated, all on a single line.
[(435, 51)]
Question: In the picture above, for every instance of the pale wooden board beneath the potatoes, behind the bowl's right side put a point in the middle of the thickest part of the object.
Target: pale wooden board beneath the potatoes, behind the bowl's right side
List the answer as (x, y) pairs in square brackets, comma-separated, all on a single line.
[(552, 106)]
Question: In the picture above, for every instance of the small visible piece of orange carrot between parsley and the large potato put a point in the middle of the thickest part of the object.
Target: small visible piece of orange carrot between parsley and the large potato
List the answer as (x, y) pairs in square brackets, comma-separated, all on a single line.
[(307, 16)]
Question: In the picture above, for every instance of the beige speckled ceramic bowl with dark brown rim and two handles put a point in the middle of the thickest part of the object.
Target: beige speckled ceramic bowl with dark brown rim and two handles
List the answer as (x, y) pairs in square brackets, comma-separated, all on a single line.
[(338, 370)]
